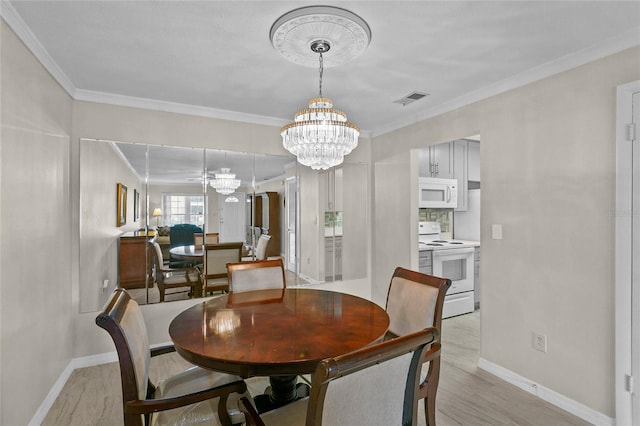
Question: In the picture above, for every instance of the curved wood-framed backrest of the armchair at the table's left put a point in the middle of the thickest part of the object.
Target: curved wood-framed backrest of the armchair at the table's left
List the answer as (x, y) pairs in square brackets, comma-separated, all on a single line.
[(122, 318)]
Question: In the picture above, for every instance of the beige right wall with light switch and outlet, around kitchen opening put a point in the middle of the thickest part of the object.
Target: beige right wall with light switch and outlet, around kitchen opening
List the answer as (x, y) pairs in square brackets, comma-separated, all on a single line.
[(548, 173)]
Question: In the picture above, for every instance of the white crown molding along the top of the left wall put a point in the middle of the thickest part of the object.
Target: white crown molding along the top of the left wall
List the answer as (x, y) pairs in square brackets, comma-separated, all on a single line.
[(17, 24)]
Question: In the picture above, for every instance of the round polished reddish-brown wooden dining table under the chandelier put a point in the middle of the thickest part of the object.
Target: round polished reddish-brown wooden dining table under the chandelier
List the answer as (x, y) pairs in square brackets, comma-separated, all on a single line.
[(278, 333)]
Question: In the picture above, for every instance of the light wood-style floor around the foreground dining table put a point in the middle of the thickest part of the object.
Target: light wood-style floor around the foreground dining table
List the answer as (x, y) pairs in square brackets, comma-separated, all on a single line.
[(466, 395)]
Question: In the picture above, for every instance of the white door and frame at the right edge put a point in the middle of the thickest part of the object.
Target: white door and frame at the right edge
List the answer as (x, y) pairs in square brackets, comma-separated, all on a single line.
[(627, 246)]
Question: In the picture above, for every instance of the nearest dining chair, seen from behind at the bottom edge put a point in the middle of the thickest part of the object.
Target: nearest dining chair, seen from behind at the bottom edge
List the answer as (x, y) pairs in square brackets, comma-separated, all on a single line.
[(374, 385)]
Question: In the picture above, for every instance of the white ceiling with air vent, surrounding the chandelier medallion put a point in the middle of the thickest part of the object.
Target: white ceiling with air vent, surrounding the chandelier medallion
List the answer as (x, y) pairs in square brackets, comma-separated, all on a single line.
[(217, 54)]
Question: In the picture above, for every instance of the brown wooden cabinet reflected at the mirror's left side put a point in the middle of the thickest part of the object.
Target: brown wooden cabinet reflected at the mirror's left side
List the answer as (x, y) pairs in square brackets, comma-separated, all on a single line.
[(132, 260)]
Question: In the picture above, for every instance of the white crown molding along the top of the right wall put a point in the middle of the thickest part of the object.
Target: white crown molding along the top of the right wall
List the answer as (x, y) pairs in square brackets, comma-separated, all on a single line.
[(627, 40)]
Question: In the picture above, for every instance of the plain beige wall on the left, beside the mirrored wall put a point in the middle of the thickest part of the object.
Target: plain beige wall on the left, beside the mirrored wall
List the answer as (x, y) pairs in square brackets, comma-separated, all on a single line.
[(35, 243)]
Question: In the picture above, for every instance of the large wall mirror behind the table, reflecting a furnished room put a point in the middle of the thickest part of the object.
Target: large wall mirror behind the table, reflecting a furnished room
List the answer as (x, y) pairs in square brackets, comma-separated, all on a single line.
[(173, 185)]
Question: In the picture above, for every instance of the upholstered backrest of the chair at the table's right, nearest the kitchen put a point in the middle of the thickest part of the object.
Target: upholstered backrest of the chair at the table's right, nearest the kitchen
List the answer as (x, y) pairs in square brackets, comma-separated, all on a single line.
[(415, 301)]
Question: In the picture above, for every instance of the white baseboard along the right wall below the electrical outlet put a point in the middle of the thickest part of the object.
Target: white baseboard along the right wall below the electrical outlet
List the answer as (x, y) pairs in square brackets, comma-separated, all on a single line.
[(574, 407)]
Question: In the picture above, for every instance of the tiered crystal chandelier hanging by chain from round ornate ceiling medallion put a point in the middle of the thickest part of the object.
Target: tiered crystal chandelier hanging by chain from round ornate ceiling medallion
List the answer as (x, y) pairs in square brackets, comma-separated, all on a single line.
[(320, 136)]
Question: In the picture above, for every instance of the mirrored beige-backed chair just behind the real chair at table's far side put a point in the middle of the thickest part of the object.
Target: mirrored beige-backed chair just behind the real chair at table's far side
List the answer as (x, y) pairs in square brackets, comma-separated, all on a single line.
[(213, 272)]
